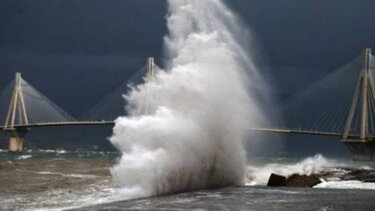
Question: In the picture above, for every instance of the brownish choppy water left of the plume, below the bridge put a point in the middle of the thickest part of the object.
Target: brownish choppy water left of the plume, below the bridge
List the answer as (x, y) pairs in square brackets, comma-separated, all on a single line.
[(55, 180)]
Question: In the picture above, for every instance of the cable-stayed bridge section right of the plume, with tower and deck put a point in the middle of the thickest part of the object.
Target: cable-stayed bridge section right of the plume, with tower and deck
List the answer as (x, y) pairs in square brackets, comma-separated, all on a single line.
[(342, 104)]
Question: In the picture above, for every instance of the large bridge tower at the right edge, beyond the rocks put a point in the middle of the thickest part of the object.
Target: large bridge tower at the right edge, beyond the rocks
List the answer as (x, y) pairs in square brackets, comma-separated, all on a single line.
[(362, 146)]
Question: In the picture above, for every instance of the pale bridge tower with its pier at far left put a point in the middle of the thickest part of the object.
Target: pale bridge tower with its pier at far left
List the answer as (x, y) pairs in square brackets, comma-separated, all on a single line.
[(16, 112)]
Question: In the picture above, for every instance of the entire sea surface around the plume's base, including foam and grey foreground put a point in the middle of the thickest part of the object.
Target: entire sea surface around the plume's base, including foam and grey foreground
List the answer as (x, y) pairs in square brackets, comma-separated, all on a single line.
[(82, 180)]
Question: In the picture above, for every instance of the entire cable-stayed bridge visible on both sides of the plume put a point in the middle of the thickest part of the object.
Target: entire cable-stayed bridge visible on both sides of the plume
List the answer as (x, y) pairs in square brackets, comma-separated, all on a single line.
[(342, 105)]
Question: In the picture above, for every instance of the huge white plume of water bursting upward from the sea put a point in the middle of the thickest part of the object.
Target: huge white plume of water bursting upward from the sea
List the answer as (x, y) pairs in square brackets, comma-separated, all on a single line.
[(187, 126)]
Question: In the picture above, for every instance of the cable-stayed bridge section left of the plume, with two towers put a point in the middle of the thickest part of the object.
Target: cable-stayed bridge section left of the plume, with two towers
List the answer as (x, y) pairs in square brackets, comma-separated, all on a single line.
[(23, 107)]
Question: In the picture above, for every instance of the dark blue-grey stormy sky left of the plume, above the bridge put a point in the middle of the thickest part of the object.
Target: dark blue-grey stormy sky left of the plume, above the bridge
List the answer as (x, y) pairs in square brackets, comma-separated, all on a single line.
[(76, 51)]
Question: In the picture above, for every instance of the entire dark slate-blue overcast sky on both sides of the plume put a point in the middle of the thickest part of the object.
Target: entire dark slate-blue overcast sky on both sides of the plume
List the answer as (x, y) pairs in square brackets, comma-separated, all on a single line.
[(76, 51)]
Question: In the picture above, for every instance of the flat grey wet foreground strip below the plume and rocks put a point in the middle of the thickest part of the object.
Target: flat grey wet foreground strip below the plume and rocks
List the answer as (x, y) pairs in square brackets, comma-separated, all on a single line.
[(254, 198)]
